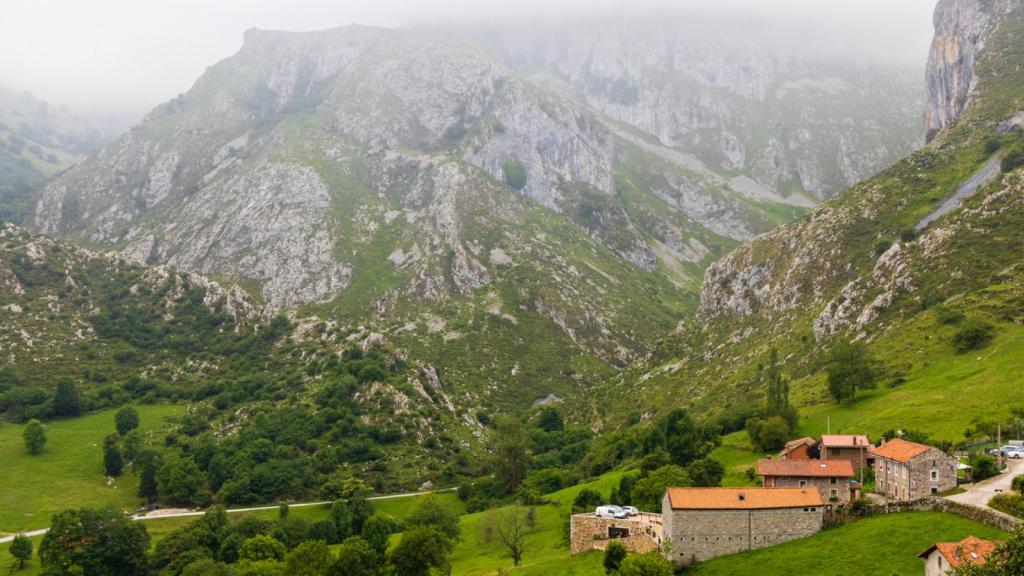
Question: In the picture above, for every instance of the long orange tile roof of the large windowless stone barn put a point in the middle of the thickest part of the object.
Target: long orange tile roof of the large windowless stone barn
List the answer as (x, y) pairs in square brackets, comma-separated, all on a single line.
[(742, 499)]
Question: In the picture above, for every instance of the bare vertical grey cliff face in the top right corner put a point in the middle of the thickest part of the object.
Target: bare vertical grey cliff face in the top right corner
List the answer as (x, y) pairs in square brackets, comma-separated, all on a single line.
[(962, 28)]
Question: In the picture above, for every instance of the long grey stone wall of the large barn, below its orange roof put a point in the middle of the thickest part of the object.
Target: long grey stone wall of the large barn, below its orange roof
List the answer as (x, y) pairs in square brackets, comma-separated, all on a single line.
[(701, 536)]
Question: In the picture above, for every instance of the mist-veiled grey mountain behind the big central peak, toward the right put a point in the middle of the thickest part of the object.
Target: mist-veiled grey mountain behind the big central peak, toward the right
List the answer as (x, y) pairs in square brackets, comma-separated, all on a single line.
[(797, 122)]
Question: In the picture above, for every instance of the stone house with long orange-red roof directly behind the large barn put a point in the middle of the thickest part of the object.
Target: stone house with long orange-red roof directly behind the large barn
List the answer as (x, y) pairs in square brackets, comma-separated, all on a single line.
[(833, 480)]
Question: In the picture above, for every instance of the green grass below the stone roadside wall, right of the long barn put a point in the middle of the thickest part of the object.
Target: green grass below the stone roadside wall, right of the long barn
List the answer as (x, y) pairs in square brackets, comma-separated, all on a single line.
[(882, 546)]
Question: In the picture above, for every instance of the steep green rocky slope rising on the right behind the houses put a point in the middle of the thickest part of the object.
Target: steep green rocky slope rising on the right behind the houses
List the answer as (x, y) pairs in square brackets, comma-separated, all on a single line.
[(855, 269)]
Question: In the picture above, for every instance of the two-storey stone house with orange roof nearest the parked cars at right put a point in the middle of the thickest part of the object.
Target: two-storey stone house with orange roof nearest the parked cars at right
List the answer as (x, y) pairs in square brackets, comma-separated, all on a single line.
[(908, 471)]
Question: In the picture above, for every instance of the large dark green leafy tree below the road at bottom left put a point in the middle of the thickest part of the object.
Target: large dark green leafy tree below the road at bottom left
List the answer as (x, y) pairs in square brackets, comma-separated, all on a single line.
[(91, 542)]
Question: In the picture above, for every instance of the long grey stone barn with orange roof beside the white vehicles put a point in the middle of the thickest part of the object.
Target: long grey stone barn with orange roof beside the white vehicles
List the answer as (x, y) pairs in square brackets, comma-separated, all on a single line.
[(700, 524)]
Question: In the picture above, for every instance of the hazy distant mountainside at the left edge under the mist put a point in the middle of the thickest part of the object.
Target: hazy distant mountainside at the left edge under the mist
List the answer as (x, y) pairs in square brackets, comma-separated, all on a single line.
[(37, 141)]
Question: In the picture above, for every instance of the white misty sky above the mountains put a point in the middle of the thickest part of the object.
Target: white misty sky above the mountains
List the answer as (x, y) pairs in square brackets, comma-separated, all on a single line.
[(121, 58)]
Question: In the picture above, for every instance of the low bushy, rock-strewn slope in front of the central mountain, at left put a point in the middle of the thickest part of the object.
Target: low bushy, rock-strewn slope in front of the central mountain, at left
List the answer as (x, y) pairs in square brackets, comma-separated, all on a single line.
[(125, 334)]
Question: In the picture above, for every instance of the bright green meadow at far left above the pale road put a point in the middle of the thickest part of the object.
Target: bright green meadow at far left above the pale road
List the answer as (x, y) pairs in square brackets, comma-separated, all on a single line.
[(70, 471)]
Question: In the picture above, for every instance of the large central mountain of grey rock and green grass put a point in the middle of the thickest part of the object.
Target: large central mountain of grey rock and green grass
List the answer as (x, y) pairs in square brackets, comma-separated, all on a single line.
[(518, 236)]
